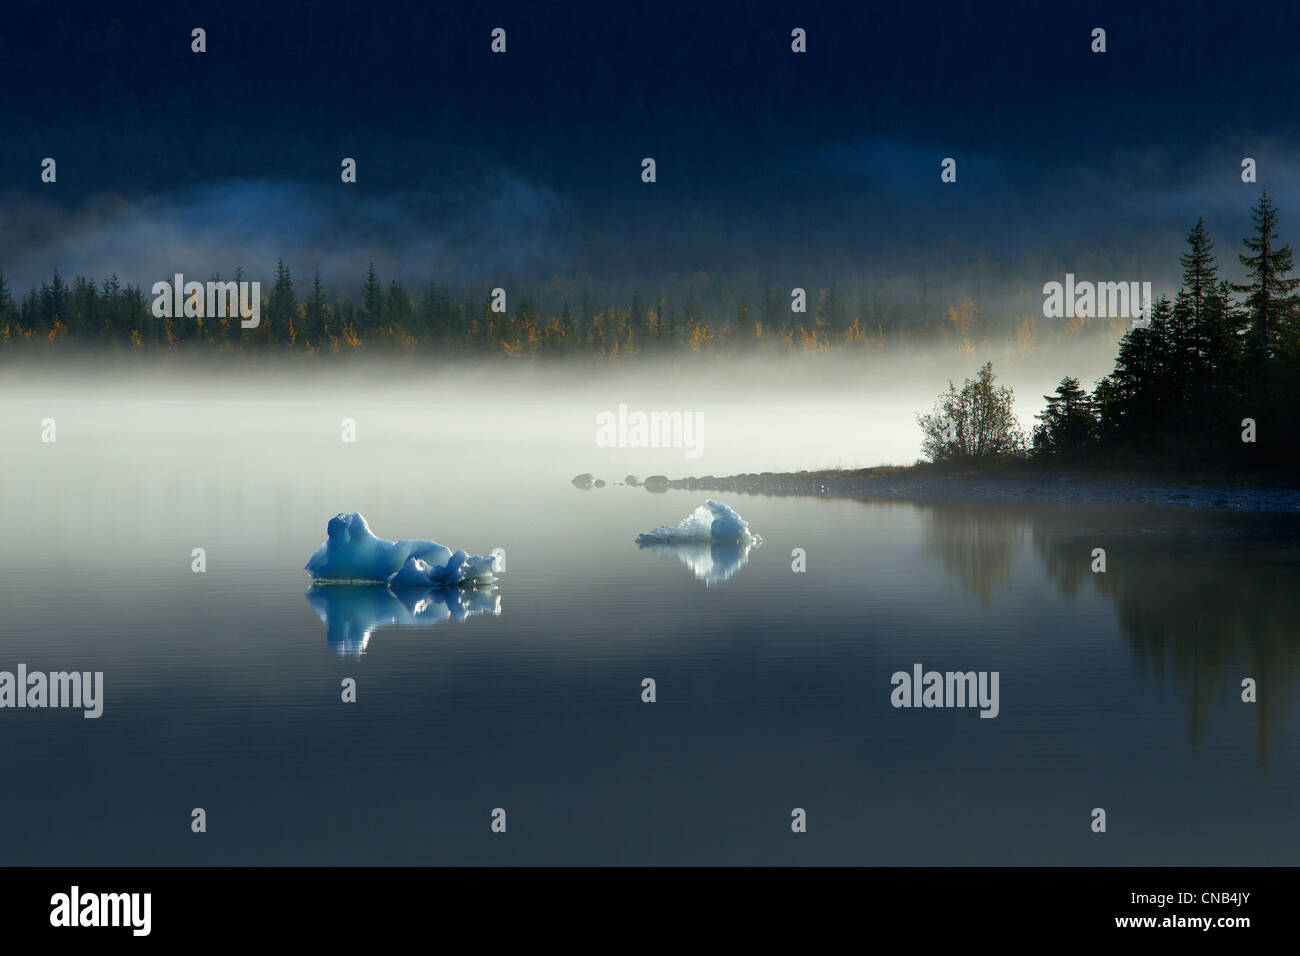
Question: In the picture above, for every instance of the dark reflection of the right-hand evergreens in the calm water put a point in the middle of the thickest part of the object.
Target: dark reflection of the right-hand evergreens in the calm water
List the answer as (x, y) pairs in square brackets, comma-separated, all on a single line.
[(1203, 600)]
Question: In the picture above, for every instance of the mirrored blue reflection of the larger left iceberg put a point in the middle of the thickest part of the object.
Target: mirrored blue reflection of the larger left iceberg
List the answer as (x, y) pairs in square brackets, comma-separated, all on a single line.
[(353, 613)]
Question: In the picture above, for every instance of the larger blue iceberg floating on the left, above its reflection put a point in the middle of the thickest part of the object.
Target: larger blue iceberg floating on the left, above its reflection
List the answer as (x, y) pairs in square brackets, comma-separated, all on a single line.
[(354, 555)]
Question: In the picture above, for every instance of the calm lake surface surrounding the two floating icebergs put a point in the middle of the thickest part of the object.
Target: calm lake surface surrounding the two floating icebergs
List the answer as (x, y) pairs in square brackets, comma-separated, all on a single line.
[(223, 690)]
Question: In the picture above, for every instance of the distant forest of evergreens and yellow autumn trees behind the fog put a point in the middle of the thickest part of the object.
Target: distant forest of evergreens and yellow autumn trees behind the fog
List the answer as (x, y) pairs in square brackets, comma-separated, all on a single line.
[(700, 314)]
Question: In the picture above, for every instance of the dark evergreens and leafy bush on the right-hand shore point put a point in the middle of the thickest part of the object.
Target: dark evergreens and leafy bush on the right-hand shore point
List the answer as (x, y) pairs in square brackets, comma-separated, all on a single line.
[(1211, 382)]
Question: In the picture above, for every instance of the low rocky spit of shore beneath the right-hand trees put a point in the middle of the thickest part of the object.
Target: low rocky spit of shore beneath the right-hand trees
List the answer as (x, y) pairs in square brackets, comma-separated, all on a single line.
[(921, 485)]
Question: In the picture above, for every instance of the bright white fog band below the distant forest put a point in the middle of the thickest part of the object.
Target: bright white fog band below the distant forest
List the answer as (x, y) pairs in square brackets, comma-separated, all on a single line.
[(521, 419)]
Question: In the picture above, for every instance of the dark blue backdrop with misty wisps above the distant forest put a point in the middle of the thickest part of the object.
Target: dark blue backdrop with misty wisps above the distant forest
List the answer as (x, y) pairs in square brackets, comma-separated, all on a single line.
[(476, 166)]
